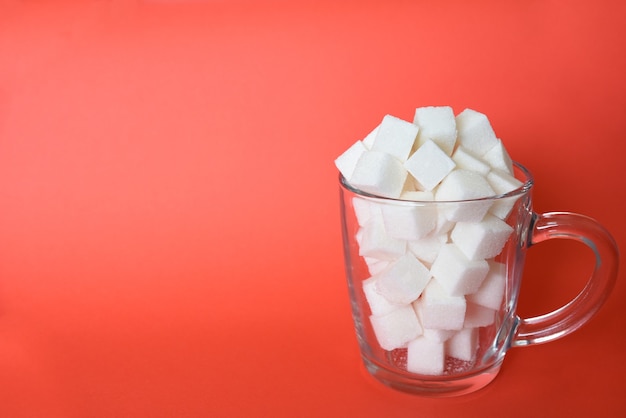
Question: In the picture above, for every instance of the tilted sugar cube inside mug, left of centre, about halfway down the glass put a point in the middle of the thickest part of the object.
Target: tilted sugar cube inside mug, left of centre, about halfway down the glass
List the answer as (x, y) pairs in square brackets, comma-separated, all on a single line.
[(403, 280)]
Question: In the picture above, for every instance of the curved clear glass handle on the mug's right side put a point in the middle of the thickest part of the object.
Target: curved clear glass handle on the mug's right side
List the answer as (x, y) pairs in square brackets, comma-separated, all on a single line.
[(578, 311)]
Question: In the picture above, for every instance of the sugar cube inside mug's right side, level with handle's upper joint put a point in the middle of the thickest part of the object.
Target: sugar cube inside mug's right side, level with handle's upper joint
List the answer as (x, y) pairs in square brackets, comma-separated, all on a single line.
[(481, 240)]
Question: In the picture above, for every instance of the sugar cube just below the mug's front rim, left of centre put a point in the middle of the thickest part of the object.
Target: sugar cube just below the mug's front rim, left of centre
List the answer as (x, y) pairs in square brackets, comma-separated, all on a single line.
[(408, 221)]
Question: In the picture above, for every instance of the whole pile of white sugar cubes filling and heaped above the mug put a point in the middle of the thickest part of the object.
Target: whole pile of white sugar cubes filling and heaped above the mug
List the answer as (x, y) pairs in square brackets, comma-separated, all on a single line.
[(434, 279)]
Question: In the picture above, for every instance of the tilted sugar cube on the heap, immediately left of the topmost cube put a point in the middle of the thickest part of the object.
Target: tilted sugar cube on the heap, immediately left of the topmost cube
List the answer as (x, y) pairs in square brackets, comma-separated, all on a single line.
[(395, 137)]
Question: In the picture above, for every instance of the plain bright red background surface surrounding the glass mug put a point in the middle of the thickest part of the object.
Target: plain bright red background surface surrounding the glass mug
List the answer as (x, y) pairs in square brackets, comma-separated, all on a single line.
[(170, 241)]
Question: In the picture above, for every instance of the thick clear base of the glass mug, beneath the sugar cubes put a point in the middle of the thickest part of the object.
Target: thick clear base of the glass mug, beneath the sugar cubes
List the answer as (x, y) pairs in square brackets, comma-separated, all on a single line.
[(432, 386)]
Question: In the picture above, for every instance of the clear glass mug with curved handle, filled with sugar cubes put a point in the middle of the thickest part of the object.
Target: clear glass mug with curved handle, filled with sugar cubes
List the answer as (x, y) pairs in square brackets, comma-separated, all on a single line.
[(422, 337)]
